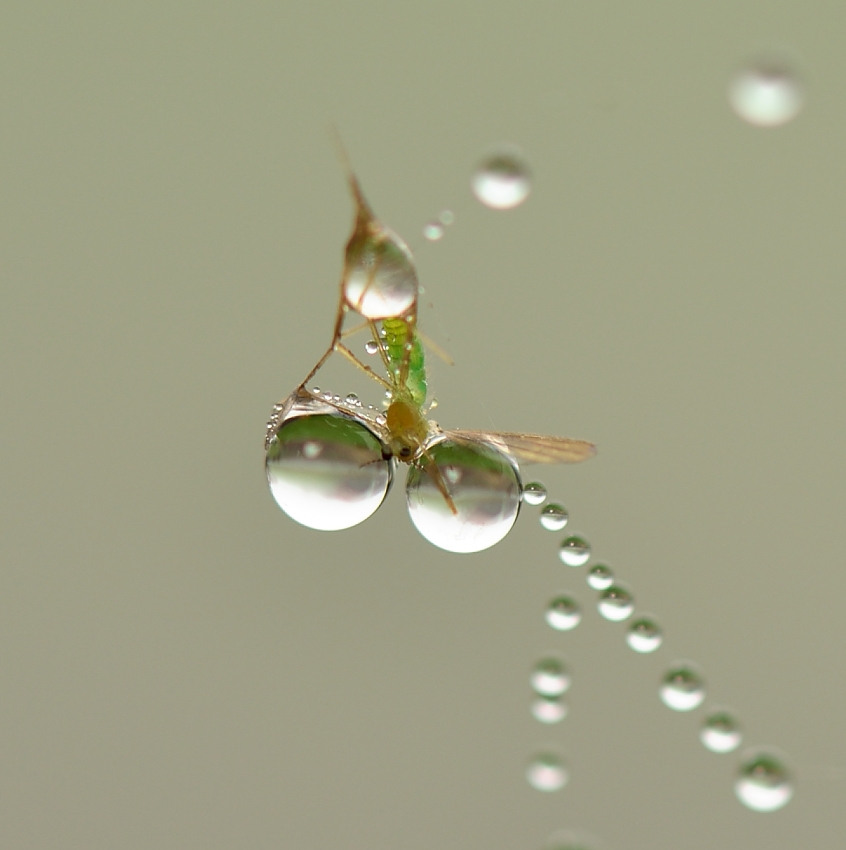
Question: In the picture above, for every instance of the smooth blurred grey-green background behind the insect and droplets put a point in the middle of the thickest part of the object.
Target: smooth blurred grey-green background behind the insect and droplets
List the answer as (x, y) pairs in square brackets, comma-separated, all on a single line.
[(182, 666)]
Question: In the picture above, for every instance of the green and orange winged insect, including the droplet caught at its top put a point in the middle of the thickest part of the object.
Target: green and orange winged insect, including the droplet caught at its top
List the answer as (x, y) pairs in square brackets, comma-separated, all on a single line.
[(379, 282)]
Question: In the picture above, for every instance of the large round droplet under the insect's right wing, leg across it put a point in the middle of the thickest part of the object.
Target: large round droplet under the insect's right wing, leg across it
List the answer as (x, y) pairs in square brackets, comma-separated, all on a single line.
[(483, 484)]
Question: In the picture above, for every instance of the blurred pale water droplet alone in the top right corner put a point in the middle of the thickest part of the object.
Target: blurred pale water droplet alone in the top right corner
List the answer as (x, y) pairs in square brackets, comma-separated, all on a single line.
[(766, 94)]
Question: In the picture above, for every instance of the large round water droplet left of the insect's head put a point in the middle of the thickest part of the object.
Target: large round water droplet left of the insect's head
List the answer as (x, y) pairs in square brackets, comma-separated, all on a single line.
[(326, 470)]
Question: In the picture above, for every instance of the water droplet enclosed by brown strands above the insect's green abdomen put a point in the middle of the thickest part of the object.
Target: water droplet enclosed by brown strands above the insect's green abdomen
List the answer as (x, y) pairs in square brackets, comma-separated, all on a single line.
[(380, 280)]
